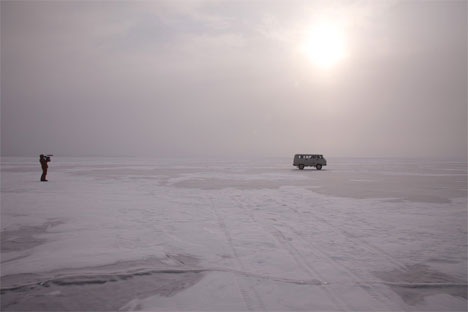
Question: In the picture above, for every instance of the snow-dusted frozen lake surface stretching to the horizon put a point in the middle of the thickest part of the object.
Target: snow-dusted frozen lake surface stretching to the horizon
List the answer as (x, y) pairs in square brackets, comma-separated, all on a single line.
[(233, 235)]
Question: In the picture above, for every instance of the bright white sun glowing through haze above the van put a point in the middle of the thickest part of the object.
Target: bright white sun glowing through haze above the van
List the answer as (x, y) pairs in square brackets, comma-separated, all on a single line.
[(324, 44)]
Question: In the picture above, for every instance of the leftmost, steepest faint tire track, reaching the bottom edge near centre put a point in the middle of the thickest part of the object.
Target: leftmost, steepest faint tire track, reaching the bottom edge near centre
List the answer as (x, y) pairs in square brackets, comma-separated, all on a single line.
[(251, 299)]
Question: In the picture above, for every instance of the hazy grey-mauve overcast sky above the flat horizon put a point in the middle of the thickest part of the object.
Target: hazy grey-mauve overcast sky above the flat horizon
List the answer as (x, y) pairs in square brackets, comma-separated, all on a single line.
[(234, 78)]
